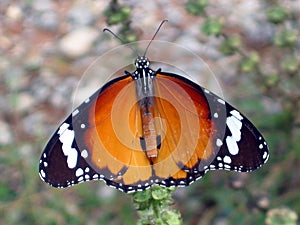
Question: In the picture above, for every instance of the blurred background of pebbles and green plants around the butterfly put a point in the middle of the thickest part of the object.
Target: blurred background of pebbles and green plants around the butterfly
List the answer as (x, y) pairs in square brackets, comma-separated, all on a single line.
[(251, 46)]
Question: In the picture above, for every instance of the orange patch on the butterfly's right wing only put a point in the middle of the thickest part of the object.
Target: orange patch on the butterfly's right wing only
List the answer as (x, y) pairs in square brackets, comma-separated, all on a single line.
[(190, 131)]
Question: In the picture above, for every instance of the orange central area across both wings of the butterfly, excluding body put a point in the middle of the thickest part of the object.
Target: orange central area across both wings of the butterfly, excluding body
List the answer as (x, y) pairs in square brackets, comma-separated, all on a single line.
[(181, 119)]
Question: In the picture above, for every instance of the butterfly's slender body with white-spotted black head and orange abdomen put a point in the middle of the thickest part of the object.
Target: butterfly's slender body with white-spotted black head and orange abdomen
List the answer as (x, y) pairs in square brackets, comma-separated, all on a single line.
[(143, 77)]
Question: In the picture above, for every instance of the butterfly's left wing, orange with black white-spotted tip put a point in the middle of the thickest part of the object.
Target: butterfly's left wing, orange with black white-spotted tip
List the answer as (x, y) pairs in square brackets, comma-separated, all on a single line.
[(85, 146)]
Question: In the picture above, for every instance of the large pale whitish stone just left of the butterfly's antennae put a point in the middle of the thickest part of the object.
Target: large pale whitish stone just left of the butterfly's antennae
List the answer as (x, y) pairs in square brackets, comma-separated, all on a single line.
[(78, 42)]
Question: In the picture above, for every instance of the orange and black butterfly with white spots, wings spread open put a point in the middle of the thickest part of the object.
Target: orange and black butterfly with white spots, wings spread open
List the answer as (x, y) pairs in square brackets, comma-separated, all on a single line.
[(150, 127)]
